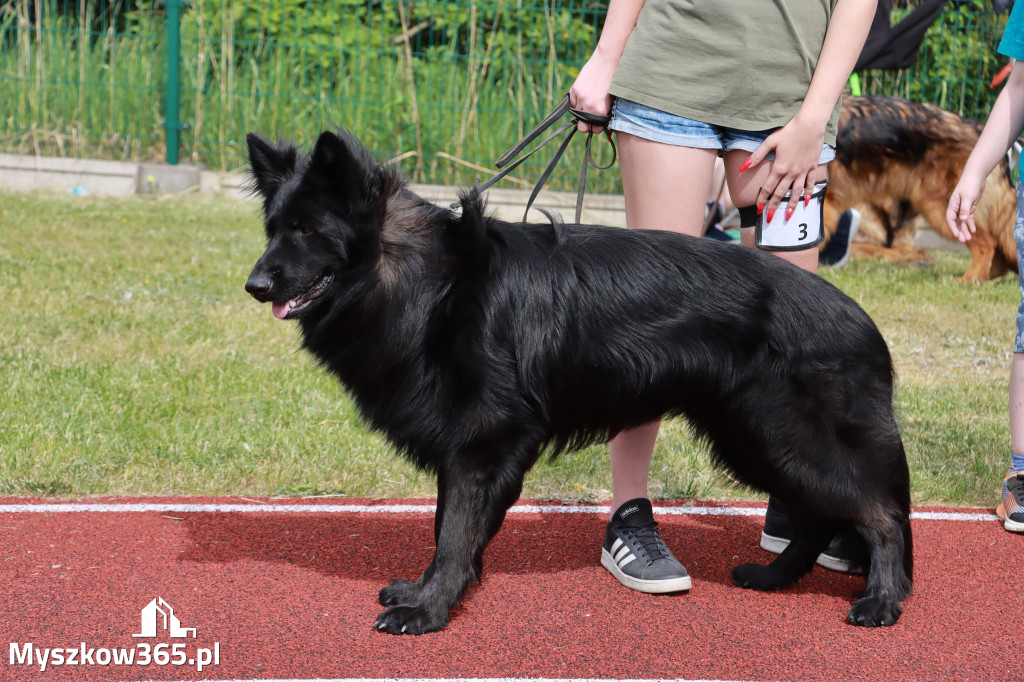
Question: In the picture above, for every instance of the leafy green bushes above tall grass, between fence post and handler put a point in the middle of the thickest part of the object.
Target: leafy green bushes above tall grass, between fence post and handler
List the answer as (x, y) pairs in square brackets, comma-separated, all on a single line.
[(327, 36)]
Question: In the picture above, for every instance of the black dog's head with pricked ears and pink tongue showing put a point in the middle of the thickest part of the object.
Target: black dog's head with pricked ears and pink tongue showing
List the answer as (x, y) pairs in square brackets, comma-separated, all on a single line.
[(322, 215)]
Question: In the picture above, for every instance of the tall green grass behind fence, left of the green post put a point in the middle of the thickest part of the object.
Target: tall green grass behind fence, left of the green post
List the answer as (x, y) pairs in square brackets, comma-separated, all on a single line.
[(71, 84)]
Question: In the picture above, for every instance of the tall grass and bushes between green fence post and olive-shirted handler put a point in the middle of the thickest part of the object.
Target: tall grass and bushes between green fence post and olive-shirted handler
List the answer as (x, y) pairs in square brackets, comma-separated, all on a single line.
[(418, 79)]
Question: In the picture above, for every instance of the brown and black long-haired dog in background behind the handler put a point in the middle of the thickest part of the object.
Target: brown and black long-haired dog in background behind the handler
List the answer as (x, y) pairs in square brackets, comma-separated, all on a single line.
[(898, 160)]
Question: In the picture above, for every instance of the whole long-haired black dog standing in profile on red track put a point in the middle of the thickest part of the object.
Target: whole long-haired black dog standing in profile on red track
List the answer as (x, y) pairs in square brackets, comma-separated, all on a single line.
[(474, 345)]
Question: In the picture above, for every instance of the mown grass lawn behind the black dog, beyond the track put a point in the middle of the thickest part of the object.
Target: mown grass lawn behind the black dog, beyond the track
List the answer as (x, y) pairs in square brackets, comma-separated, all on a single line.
[(135, 364)]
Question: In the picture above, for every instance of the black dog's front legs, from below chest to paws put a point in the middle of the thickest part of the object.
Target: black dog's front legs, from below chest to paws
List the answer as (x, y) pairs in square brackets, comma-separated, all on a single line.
[(474, 501)]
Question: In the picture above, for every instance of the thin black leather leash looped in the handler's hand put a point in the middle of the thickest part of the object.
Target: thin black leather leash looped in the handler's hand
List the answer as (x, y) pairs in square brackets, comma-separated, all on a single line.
[(571, 126)]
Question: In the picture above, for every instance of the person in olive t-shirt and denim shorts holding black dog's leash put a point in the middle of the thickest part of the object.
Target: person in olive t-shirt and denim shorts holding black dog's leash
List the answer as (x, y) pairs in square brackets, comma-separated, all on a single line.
[(755, 81)]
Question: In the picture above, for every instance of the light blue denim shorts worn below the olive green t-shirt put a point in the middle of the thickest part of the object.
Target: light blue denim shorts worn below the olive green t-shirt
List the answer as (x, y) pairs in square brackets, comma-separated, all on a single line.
[(659, 126)]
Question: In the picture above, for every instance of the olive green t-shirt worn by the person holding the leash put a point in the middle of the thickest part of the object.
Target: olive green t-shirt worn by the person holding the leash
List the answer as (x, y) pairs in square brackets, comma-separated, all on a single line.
[(740, 64)]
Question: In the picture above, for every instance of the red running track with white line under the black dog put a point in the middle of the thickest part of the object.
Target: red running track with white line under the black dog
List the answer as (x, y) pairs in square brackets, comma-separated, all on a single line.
[(287, 590)]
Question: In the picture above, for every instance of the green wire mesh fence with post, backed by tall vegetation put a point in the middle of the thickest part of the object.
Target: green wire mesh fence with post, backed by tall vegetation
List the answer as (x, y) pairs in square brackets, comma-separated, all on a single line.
[(444, 86)]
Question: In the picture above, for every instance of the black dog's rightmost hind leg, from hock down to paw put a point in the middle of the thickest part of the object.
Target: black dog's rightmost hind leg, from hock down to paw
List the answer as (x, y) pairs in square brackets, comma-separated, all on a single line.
[(888, 535)]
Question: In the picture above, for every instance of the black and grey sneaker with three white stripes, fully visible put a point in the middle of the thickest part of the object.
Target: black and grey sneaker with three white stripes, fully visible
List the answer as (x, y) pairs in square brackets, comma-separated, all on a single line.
[(635, 555)]
